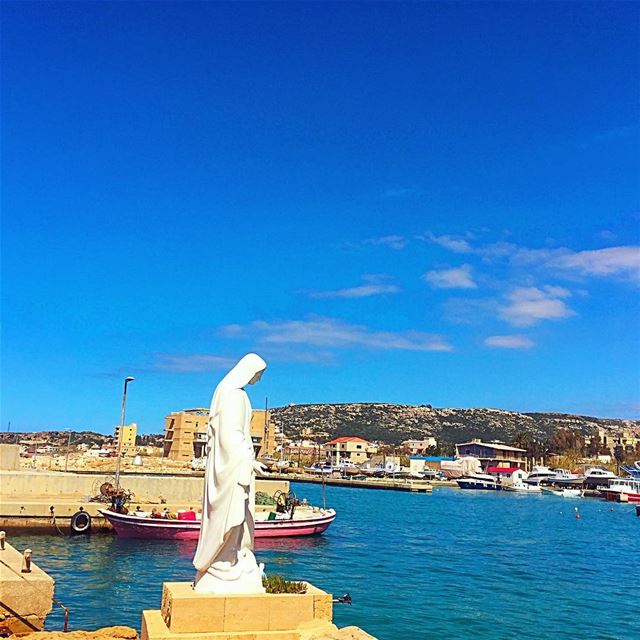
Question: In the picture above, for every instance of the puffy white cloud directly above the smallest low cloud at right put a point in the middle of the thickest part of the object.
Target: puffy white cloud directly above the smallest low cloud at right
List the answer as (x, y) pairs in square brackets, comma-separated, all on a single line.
[(529, 305)]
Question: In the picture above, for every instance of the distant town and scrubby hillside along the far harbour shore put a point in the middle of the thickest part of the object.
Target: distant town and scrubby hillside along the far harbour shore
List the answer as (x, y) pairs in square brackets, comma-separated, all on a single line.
[(291, 447)]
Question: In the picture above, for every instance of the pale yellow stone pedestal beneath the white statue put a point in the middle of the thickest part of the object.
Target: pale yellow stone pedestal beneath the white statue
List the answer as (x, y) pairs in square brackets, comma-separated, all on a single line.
[(186, 615)]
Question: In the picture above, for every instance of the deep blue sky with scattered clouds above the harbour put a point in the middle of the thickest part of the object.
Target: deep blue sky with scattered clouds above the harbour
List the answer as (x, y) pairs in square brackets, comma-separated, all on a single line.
[(390, 202)]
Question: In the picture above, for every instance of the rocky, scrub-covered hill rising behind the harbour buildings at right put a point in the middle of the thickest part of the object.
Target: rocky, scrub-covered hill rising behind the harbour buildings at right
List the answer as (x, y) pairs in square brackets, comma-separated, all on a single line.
[(394, 423)]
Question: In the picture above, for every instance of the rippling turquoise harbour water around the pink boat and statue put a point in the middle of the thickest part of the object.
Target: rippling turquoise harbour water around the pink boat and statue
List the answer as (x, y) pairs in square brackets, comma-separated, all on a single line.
[(455, 564)]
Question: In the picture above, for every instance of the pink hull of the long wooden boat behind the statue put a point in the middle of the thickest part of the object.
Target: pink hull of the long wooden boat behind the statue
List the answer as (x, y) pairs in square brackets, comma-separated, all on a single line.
[(161, 529)]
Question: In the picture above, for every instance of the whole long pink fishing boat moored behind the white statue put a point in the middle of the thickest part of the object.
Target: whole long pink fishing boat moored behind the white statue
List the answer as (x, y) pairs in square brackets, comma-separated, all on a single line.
[(303, 521)]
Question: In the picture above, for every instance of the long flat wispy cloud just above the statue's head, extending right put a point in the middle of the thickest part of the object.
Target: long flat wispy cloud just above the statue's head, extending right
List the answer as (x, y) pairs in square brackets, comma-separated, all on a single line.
[(336, 334)]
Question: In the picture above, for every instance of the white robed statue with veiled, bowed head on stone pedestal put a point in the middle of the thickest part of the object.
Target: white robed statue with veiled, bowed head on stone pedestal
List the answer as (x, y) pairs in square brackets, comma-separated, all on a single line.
[(224, 557)]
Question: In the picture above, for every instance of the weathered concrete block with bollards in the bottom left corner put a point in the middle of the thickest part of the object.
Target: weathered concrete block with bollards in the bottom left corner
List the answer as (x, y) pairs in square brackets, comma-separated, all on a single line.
[(25, 598)]
